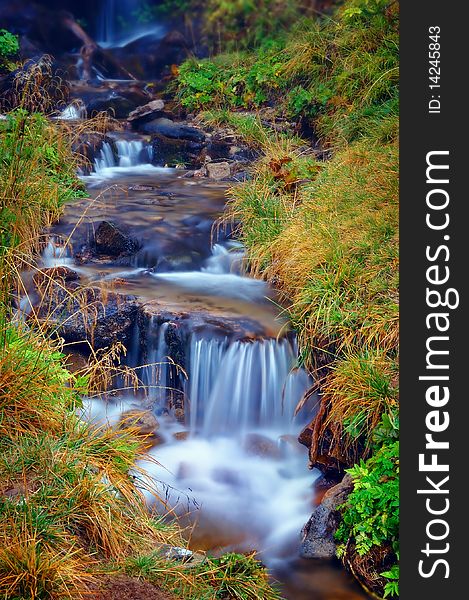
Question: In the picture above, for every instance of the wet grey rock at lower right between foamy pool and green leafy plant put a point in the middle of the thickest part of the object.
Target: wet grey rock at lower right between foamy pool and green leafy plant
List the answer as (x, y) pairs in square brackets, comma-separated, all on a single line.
[(318, 533)]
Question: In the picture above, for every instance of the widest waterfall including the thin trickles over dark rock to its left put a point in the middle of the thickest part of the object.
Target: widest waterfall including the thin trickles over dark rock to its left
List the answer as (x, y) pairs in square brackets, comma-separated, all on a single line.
[(232, 386)]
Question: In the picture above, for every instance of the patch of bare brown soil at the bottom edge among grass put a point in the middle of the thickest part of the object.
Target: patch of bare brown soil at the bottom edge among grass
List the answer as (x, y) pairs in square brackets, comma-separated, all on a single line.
[(121, 587)]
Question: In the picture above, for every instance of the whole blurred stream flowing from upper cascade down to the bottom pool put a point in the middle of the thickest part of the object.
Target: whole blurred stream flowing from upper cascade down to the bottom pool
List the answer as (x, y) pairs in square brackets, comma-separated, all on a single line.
[(228, 462)]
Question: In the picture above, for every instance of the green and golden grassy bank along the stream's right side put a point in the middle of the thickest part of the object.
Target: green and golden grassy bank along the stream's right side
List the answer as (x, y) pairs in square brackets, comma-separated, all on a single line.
[(319, 218)]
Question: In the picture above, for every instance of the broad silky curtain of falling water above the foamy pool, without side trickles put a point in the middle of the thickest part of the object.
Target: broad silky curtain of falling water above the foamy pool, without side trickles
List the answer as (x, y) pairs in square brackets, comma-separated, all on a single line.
[(234, 387)]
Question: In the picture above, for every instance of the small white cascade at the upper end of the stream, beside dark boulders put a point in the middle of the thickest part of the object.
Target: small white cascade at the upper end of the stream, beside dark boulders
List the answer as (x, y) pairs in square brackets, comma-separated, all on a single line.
[(127, 153)]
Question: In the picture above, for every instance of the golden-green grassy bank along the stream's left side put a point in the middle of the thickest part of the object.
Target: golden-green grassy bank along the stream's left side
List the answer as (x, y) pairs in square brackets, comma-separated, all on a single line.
[(72, 512)]
